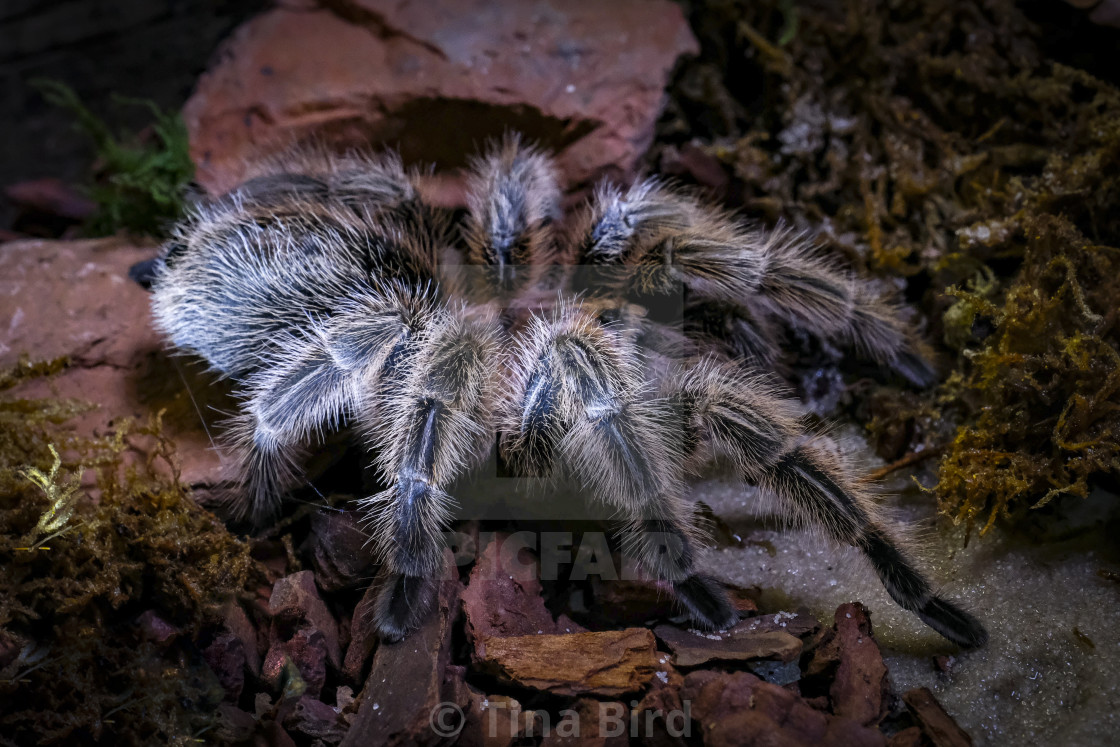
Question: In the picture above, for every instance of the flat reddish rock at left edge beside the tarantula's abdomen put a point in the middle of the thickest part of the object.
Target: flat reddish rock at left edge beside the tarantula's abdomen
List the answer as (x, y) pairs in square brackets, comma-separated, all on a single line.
[(74, 298)]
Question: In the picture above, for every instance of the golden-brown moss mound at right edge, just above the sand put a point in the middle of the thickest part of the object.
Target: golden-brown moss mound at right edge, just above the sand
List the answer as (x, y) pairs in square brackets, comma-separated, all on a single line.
[(1043, 387)]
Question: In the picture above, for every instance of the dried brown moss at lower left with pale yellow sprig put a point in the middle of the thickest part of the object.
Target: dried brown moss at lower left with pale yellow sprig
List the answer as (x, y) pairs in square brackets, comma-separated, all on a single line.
[(94, 534)]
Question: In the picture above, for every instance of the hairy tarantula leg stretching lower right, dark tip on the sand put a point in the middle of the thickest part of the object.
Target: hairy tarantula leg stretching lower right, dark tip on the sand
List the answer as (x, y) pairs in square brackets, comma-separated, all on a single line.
[(742, 419)]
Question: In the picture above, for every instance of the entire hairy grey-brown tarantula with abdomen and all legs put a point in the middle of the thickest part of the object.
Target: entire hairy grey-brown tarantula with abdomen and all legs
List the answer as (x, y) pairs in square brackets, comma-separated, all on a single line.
[(334, 296)]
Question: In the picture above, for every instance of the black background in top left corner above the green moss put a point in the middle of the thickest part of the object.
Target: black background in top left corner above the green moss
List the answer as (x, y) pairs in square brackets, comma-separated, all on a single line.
[(144, 49)]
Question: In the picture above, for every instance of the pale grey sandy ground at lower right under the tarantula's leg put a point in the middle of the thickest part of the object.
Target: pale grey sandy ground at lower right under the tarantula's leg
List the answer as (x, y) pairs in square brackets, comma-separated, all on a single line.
[(1049, 676)]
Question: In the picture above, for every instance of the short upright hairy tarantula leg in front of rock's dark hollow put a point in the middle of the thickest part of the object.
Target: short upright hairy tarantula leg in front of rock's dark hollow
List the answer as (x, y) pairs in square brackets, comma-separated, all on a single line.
[(514, 199)]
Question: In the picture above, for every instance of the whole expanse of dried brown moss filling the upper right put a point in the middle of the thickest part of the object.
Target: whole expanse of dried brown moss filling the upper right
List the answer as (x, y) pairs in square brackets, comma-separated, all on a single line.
[(934, 143)]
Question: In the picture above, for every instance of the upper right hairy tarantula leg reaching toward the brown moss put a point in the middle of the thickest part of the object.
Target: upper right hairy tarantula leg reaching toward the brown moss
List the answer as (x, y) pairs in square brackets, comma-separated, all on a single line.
[(662, 239)]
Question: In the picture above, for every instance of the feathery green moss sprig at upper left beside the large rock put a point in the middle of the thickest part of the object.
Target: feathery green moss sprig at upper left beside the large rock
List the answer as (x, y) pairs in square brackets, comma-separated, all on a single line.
[(139, 182)]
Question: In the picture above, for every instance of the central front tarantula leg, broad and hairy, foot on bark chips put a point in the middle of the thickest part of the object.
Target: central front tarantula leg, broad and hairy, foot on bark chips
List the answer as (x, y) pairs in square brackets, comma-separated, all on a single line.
[(576, 403)]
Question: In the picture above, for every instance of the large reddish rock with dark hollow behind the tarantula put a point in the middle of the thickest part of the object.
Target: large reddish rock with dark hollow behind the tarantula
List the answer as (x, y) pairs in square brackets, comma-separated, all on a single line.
[(585, 78)]
